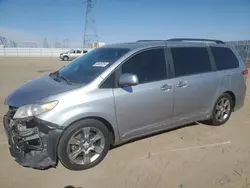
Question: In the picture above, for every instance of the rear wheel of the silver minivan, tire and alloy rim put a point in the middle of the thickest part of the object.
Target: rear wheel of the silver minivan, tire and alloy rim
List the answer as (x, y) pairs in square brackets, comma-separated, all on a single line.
[(222, 110)]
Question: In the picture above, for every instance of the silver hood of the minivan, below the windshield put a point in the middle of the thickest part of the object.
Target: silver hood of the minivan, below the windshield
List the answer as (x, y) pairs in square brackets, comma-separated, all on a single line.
[(36, 90)]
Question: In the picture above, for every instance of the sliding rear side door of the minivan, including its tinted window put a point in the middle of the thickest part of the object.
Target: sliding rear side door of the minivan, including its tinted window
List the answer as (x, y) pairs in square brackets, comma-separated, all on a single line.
[(196, 83)]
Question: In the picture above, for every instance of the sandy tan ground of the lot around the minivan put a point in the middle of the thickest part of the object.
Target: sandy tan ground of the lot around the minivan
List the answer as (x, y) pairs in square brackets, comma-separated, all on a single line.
[(195, 156)]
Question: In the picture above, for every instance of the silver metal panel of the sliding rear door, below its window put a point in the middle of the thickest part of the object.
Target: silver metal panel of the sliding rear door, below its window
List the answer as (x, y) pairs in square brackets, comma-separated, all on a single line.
[(195, 101)]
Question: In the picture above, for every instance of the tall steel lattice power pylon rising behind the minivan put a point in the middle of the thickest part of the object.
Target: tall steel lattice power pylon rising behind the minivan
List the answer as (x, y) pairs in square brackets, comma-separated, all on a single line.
[(90, 33)]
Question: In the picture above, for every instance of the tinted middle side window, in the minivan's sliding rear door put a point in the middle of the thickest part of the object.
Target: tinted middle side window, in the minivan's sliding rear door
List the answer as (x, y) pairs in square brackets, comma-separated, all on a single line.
[(190, 60)]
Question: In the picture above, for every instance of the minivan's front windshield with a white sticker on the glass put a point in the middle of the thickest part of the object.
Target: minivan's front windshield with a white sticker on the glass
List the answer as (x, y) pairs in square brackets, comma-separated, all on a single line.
[(85, 68)]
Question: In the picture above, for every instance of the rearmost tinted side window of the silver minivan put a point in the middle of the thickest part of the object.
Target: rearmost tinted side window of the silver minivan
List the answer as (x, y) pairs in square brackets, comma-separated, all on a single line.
[(224, 58)]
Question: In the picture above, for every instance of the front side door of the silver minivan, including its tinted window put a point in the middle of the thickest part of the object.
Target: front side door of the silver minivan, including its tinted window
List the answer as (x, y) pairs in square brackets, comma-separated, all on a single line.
[(148, 106)]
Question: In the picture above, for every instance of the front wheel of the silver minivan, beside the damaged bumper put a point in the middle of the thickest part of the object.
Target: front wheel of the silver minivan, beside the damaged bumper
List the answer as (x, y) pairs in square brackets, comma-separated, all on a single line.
[(65, 148)]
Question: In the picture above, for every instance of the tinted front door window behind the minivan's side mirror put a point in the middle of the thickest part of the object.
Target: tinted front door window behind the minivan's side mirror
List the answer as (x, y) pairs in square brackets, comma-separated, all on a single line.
[(149, 65)]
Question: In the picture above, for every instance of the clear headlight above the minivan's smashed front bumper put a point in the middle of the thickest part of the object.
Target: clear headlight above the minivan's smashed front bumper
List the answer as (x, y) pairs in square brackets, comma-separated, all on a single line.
[(34, 109)]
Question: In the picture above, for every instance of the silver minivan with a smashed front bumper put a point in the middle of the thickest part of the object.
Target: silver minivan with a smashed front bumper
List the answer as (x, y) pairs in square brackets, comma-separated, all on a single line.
[(120, 92)]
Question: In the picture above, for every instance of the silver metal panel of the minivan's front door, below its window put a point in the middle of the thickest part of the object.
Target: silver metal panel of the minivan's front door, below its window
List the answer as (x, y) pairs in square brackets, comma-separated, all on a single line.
[(144, 108)]
